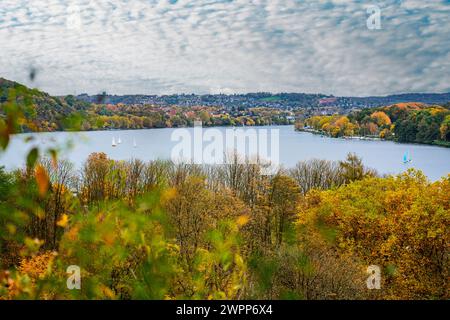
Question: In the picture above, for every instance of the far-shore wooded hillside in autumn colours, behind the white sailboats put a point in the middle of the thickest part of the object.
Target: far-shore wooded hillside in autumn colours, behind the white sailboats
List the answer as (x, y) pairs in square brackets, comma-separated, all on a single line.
[(47, 113)]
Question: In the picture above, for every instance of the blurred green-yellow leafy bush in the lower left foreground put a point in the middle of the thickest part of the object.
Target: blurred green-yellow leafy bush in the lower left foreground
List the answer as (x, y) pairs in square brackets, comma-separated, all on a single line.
[(123, 252)]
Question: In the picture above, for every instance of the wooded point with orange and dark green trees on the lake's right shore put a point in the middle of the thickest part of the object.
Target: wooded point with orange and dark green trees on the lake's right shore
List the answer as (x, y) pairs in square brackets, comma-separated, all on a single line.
[(406, 122)]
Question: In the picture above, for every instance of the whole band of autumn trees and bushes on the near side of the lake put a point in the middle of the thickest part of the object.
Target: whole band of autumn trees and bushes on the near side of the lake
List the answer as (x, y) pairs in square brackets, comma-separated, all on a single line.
[(161, 230)]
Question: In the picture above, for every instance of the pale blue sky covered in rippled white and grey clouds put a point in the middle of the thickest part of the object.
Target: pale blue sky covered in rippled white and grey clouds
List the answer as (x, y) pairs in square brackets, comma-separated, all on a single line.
[(212, 46)]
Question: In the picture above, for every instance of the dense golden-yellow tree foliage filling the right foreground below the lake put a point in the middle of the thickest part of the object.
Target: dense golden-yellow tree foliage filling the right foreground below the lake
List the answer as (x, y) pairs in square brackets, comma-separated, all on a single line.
[(400, 223)]
